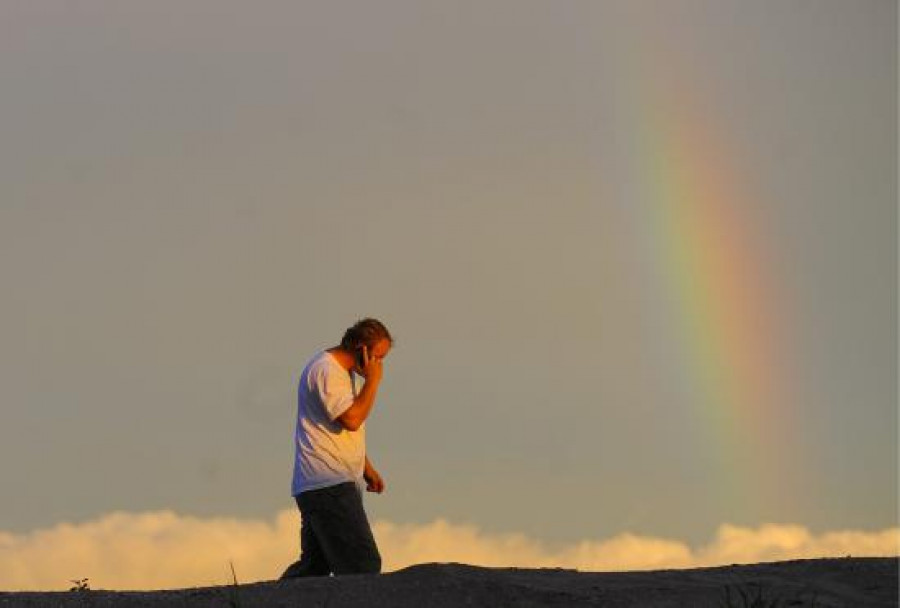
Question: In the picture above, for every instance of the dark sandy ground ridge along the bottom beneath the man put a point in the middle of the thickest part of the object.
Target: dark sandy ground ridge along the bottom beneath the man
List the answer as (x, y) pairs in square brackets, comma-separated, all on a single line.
[(845, 582)]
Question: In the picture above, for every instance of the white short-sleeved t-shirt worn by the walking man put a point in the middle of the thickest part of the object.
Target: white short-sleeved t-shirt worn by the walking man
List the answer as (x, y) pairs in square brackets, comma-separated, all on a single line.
[(326, 453)]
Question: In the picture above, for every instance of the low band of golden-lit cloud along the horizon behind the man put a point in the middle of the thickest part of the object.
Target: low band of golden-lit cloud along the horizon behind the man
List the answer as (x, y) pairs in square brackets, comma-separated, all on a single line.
[(161, 549)]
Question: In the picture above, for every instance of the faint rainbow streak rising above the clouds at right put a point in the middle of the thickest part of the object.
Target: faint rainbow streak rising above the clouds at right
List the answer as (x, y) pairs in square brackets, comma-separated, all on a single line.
[(717, 288)]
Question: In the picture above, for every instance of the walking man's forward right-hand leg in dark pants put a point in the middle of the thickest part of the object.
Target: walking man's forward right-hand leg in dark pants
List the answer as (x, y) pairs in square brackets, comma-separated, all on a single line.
[(342, 529)]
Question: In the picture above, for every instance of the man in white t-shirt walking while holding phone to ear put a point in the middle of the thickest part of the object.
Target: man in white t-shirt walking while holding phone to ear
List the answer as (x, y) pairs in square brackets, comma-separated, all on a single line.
[(331, 461)]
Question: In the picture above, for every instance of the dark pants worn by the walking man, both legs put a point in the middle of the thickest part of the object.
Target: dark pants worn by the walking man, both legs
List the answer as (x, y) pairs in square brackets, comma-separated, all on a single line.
[(334, 534)]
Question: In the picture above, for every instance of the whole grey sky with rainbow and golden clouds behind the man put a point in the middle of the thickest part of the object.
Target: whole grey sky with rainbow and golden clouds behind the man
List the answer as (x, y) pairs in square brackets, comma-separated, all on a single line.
[(639, 258)]
